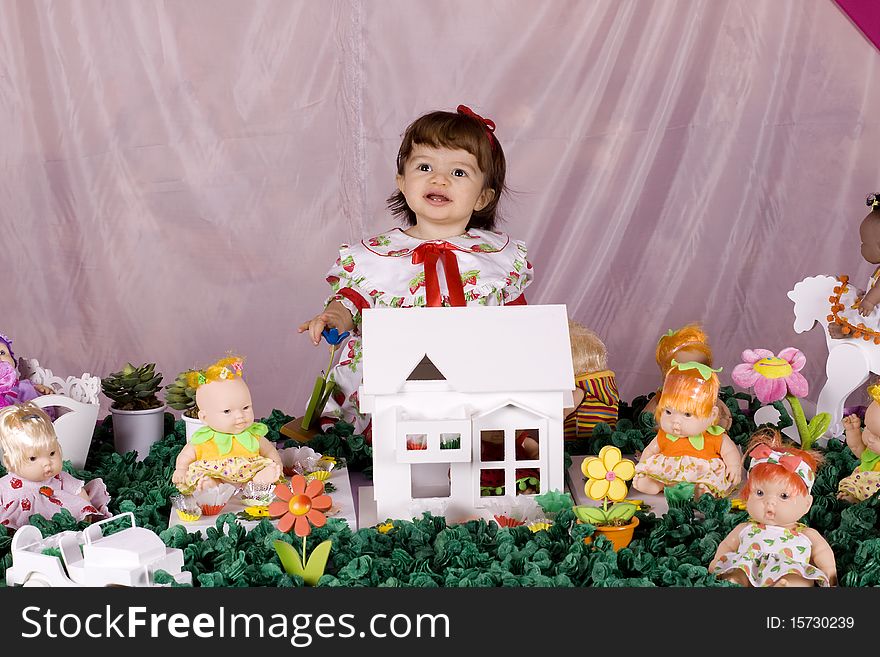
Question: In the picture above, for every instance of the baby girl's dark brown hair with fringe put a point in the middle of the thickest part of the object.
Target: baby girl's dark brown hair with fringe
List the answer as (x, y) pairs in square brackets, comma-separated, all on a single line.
[(456, 130)]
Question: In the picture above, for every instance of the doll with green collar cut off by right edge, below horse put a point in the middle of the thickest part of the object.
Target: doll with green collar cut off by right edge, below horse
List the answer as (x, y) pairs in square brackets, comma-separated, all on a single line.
[(865, 444)]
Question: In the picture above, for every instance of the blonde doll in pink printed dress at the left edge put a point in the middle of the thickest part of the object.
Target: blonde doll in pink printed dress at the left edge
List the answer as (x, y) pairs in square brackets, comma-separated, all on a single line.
[(35, 483)]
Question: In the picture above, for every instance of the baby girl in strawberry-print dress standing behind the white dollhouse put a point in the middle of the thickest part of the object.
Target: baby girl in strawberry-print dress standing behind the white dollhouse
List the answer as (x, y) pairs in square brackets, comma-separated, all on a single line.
[(450, 178)]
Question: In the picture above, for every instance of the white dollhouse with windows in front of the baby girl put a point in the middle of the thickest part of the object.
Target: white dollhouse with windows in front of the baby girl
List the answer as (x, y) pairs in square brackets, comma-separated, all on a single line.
[(466, 404)]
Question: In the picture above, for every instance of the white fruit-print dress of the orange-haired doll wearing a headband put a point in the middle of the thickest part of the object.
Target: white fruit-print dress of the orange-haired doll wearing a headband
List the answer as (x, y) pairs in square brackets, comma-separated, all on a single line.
[(768, 552)]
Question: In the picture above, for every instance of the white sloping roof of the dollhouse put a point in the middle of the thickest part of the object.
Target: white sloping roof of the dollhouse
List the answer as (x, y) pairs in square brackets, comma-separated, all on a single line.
[(474, 349)]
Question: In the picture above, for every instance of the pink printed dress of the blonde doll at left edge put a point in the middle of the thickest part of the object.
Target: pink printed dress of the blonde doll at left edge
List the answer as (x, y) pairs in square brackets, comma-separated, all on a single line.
[(21, 498)]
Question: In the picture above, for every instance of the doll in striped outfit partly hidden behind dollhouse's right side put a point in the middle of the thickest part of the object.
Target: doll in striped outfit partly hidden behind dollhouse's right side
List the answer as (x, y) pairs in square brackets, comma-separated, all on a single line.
[(595, 393)]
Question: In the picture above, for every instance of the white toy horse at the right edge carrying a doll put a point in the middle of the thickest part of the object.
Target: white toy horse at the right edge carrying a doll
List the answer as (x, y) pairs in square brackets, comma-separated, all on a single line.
[(850, 360)]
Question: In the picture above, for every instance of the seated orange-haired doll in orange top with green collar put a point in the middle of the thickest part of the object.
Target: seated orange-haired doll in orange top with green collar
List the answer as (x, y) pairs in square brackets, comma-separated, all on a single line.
[(689, 447)]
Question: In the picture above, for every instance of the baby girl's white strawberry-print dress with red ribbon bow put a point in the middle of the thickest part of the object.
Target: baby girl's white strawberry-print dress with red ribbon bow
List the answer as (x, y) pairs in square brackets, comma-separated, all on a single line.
[(394, 270)]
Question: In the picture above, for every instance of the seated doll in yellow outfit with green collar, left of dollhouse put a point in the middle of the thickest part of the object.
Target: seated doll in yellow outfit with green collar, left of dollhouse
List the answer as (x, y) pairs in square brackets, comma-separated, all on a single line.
[(231, 447)]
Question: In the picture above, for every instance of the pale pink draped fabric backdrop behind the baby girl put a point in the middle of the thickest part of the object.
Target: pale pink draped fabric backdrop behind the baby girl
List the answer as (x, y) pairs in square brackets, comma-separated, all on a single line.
[(177, 175)]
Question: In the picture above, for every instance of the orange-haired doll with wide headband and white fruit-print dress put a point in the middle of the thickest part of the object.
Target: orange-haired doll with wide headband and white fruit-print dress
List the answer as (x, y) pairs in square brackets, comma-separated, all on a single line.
[(773, 548)]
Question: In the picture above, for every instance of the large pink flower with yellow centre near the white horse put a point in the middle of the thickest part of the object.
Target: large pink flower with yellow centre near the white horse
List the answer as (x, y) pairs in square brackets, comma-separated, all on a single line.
[(772, 377)]
